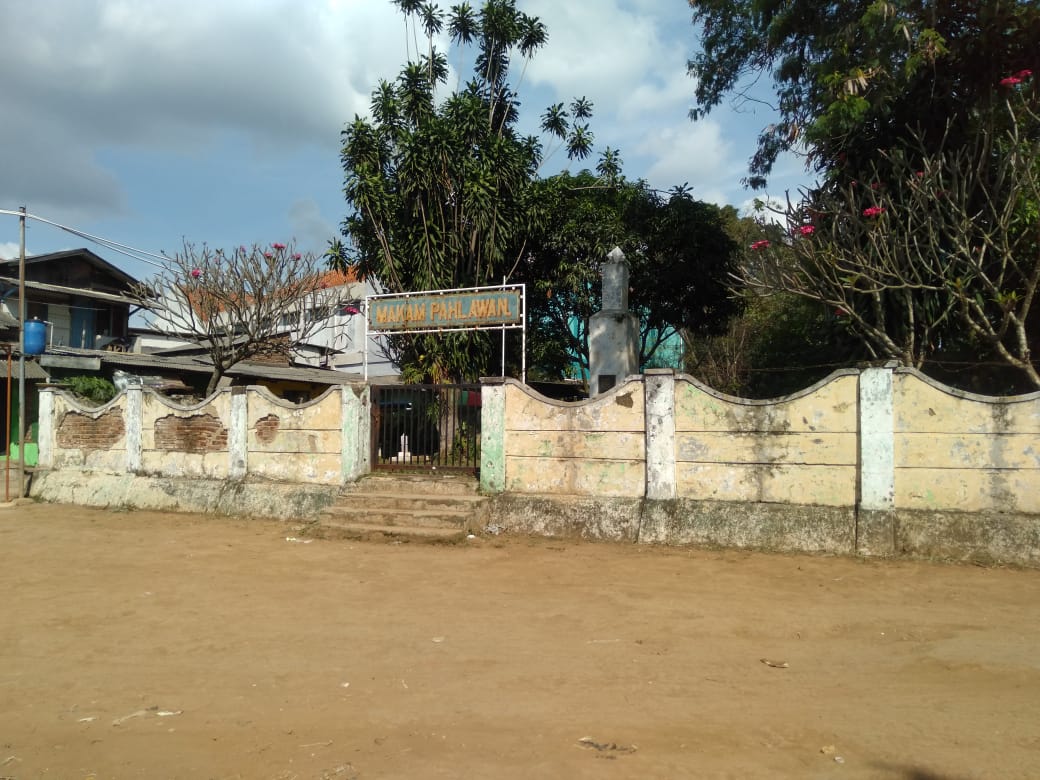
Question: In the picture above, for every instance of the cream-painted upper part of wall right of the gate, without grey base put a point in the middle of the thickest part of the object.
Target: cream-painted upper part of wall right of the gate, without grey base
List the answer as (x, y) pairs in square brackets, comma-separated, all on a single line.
[(880, 439)]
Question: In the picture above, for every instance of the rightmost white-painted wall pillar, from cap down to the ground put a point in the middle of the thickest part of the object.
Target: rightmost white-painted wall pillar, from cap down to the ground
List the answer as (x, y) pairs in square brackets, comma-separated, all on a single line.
[(875, 526)]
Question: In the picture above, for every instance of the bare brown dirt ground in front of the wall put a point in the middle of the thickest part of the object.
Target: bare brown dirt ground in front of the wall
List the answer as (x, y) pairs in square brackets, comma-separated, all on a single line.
[(143, 645)]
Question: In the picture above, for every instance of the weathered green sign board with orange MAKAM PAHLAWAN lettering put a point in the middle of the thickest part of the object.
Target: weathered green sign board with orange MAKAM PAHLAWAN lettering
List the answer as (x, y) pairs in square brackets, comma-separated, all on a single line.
[(449, 311)]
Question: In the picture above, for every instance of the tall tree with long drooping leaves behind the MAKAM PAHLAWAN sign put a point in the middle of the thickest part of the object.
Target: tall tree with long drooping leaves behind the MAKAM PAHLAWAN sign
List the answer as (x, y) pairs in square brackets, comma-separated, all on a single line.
[(440, 191)]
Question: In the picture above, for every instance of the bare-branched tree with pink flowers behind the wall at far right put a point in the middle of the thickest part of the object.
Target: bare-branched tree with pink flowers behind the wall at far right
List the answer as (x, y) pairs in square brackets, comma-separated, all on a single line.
[(942, 240)]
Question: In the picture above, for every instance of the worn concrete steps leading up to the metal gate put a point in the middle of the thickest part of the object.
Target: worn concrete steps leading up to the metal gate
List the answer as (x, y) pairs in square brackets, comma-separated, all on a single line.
[(405, 508)]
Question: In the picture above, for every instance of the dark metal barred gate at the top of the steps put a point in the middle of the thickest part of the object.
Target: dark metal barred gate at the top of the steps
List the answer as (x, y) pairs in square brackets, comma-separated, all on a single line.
[(427, 427)]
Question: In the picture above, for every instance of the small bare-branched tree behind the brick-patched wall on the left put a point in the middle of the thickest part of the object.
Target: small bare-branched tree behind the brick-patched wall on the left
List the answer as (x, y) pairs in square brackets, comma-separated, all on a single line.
[(238, 304)]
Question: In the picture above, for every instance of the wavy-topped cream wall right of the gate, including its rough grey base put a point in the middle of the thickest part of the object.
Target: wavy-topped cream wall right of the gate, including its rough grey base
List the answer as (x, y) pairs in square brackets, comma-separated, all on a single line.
[(881, 461)]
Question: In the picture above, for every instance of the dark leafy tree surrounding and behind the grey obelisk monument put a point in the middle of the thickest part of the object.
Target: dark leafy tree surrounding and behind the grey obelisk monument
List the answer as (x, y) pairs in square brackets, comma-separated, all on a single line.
[(678, 249)]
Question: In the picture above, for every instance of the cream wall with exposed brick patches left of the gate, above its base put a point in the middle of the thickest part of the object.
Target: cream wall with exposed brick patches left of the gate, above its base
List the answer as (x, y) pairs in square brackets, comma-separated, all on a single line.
[(237, 433)]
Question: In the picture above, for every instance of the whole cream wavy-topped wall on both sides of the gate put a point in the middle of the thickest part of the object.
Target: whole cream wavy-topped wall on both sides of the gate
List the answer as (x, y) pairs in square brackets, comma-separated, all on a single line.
[(876, 462)]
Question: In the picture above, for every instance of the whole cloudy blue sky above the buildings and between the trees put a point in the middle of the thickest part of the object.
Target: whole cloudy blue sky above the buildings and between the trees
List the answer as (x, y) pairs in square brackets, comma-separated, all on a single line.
[(154, 123)]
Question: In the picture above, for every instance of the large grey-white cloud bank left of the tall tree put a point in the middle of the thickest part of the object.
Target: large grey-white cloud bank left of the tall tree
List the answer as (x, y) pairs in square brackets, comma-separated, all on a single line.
[(155, 75)]
